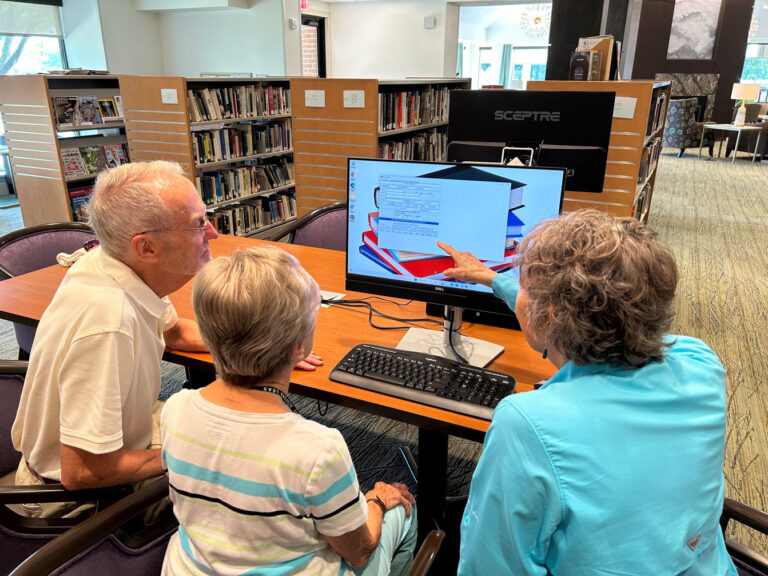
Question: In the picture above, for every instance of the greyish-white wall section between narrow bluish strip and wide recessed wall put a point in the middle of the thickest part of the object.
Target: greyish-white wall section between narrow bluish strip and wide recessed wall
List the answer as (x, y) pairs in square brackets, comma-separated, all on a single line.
[(132, 44)]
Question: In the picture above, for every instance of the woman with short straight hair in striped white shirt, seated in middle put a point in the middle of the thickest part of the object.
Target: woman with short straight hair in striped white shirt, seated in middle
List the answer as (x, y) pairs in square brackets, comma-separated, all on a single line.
[(254, 485)]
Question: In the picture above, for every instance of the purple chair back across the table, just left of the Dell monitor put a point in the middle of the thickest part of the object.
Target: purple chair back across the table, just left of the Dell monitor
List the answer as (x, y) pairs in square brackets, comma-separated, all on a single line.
[(324, 227)]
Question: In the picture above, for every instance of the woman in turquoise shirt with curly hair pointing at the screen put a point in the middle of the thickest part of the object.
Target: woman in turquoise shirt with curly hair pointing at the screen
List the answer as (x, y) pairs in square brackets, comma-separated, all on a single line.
[(614, 466)]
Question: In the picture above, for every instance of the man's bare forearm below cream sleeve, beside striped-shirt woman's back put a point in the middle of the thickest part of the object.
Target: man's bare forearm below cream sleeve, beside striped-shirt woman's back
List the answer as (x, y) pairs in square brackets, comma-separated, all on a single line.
[(82, 469)]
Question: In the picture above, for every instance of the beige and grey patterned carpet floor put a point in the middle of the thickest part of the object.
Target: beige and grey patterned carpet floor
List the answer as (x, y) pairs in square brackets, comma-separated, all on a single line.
[(714, 215)]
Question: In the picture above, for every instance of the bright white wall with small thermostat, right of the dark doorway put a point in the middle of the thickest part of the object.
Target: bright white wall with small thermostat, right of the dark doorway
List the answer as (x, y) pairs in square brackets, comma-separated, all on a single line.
[(387, 39)]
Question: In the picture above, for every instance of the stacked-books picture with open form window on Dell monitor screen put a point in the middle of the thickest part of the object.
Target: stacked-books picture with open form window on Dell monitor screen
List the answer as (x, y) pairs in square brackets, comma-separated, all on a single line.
[(403, 234)]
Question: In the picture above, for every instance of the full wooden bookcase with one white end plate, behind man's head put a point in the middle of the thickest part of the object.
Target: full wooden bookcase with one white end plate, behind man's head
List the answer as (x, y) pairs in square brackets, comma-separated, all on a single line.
[(233, 138)]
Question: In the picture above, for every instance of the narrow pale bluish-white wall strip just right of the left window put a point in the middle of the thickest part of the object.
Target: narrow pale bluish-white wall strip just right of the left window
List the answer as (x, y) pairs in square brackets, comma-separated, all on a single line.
[(82, 34)]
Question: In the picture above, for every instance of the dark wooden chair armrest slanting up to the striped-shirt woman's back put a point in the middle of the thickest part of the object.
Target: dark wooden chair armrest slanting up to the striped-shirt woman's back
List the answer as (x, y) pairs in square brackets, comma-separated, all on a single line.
[(90, 531)]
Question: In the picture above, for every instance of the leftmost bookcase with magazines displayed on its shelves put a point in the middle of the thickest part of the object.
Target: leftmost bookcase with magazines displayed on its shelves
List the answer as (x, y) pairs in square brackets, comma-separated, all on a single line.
[(36, 140)]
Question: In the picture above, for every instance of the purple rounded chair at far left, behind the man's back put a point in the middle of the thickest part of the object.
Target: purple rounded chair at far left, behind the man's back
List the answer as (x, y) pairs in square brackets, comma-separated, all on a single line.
[(33, 248)]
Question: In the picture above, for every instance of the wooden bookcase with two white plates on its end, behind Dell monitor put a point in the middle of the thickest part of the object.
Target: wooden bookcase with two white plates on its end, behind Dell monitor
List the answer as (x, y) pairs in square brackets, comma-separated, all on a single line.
[(335, 119)]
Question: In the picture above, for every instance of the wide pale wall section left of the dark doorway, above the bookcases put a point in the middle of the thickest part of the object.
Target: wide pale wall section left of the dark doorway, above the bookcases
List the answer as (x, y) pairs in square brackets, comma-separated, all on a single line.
[(230, 40)]
